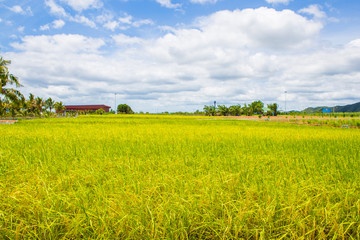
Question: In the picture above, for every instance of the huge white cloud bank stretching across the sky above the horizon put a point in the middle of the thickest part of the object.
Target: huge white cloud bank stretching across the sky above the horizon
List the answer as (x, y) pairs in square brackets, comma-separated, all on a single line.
[(230, 56)]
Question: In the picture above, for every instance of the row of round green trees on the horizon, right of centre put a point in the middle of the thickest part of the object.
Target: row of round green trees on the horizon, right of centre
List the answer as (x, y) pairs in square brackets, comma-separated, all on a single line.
[(254, 108)]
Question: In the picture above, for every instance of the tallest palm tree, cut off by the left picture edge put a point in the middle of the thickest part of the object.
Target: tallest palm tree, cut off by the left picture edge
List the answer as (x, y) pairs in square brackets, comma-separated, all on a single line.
[(5, 79)]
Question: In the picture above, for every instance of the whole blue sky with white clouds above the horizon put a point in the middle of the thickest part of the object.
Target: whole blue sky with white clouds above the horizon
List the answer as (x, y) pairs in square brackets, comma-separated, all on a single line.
[(172, 55)]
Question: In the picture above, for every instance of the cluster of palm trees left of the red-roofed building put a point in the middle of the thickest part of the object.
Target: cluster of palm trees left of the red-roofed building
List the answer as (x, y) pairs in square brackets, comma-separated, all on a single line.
[(13, 103)]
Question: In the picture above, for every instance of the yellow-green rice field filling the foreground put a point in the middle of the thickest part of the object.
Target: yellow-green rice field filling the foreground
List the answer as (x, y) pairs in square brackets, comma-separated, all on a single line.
[(171, 177)]
